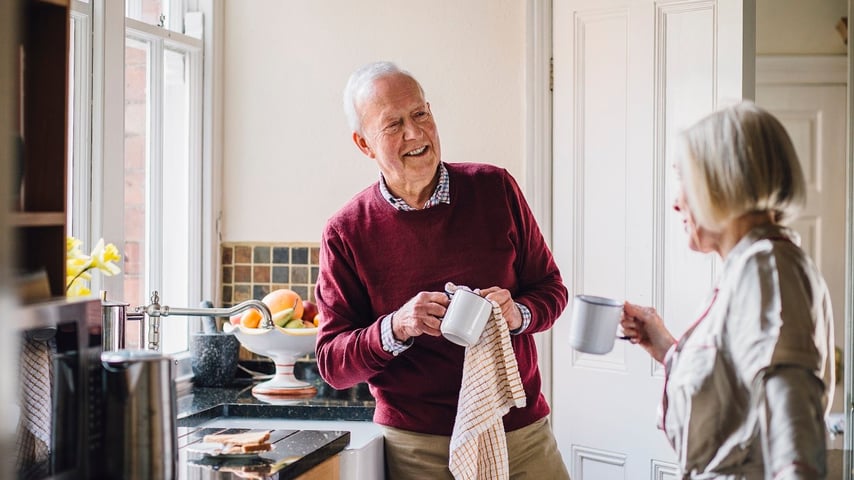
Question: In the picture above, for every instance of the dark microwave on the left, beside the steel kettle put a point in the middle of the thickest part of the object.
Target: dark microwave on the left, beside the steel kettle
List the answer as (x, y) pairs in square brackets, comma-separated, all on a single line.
[(59, 400)]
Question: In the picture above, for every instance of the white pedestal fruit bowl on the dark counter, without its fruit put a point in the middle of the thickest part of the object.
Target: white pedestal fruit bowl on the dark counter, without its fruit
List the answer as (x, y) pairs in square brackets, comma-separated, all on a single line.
[(283, 346)]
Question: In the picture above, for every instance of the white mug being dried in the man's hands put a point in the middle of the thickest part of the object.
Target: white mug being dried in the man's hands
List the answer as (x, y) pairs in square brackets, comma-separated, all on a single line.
[(466, 317)]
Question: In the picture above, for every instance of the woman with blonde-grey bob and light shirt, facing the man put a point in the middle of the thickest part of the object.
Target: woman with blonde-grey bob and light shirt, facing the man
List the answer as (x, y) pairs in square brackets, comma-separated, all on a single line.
[(748, 383)]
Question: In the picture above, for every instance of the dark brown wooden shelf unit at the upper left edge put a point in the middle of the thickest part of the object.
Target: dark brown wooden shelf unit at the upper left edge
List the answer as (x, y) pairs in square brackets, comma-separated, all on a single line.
[(41, 113)]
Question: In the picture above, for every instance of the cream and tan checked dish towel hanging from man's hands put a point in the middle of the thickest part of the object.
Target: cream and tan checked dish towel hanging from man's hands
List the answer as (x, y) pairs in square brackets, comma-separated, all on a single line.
[(491, 385)]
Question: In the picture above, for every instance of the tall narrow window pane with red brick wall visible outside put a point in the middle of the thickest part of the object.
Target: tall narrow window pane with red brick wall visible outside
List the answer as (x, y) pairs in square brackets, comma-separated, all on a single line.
[(137, 73)]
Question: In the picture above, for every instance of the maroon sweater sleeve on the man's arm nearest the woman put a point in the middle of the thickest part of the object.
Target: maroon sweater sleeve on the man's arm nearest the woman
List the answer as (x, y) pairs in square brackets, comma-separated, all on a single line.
[(540, 285)]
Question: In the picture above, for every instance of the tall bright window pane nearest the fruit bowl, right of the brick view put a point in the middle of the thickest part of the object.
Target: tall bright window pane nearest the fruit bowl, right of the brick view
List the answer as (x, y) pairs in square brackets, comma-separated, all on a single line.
[(177, 208)]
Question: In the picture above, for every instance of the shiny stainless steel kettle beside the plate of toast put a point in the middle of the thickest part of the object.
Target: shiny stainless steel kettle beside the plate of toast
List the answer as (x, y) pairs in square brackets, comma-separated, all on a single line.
[(140, 431)]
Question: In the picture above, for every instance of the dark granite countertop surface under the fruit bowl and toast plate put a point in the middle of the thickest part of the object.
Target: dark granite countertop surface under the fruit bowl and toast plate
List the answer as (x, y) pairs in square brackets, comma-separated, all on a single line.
[(295, 451)]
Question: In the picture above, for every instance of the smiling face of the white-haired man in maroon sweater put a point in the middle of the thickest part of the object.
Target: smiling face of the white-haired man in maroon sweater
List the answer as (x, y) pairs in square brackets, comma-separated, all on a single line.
[(399, 131)]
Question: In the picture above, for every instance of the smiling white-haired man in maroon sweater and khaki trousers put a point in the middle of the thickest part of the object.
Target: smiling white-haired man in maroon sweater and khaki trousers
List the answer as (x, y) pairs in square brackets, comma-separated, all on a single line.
[(385, 259)]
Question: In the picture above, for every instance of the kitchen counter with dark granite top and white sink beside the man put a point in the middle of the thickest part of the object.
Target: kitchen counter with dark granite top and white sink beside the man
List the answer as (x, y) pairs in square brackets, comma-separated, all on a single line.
[(307, 430)]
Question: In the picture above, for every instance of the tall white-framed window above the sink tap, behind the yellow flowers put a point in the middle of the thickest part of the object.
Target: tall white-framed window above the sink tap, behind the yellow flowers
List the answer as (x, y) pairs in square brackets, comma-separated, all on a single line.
[(153, 163)]
